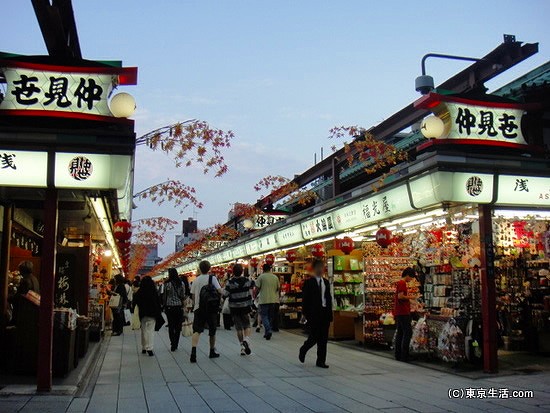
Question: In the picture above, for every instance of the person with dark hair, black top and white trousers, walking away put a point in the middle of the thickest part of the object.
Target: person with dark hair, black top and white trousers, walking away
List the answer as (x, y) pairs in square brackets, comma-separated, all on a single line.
[(148, 302)]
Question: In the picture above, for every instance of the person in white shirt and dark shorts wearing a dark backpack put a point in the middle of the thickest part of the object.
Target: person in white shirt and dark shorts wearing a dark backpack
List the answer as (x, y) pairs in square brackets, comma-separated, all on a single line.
[(206, 292)]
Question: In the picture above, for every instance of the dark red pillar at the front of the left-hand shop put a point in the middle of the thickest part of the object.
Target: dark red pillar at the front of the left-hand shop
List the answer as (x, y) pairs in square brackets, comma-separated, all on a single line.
[(47, 289)]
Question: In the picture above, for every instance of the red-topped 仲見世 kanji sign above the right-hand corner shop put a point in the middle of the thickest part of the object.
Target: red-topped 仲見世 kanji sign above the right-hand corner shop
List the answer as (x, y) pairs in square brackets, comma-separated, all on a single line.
[(479, 120)]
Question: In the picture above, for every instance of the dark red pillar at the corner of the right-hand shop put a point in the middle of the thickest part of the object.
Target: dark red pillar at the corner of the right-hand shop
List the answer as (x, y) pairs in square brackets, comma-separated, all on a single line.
[(488, 291)]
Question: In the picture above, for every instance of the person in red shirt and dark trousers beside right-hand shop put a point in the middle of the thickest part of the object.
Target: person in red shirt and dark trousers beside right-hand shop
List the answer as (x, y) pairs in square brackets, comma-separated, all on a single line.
[(402, 313)]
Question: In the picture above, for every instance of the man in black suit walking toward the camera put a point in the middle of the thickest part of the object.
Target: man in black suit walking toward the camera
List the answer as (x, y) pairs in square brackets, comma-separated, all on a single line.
[(317, 309)]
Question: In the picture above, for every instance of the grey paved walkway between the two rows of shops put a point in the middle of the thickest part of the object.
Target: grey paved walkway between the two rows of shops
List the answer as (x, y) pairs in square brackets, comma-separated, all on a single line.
[(272, 380)]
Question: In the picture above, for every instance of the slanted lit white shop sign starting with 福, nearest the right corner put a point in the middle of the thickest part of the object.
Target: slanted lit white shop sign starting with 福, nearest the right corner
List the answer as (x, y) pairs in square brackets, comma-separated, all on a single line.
[(378, 206)]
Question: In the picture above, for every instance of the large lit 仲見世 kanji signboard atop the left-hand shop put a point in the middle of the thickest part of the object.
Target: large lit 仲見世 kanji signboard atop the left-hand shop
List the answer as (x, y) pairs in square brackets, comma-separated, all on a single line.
[(57, 91)]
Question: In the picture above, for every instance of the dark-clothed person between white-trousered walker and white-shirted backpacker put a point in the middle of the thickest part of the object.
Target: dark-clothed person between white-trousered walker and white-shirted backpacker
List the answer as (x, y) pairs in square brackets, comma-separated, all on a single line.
[(173, 302)]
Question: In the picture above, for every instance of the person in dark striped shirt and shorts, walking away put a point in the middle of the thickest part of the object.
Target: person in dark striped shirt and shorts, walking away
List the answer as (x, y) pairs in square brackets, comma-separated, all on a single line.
[(238, 292)]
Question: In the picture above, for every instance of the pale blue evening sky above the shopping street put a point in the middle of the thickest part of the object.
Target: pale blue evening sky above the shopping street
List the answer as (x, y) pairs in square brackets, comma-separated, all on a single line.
[(279, 74)]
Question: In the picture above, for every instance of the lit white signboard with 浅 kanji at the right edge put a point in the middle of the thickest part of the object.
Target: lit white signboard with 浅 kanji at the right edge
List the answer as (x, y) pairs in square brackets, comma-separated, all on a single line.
[(523, 190)]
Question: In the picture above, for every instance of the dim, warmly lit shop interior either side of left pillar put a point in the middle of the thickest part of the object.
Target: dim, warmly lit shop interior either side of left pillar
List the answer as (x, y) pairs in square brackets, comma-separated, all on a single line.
[(86, 260)]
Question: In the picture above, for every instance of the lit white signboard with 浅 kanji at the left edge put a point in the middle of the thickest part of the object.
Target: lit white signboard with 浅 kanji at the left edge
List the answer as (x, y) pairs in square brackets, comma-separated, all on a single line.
[(23, 168)]
